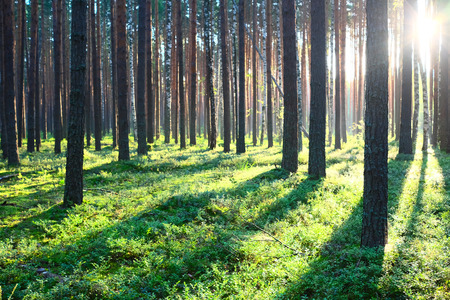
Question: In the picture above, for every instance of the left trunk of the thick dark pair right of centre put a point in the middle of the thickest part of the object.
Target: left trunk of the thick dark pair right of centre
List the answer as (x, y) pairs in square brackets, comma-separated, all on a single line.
[(289, 160)]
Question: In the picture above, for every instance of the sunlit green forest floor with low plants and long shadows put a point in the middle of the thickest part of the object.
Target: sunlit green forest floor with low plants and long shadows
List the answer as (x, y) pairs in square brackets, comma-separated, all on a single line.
[(201, 224)]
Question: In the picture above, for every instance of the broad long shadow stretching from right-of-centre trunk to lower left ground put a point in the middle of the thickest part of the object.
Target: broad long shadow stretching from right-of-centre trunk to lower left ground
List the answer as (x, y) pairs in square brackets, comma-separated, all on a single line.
[(167, 245)]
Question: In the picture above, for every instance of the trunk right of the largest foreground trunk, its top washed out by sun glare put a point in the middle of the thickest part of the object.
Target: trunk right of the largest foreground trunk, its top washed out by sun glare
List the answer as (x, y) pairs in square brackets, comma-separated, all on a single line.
[(405, 144)]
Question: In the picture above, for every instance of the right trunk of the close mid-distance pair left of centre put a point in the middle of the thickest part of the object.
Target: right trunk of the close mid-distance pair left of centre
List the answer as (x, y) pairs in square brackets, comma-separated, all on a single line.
[(141, 82)]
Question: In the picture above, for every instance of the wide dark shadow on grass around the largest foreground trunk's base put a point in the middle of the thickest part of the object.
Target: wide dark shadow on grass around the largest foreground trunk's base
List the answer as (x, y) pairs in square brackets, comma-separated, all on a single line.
[(341, 269)]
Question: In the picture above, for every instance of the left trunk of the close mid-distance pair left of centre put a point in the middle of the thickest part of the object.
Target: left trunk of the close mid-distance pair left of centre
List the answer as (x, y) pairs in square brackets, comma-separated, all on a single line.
[(122, 79)]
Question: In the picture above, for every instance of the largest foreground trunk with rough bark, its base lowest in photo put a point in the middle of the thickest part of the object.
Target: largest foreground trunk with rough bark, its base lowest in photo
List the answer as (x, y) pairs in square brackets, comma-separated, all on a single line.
[(375, 217)]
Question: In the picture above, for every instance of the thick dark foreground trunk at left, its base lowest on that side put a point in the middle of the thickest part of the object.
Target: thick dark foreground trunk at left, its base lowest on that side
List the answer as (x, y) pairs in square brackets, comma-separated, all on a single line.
[(73, 190)]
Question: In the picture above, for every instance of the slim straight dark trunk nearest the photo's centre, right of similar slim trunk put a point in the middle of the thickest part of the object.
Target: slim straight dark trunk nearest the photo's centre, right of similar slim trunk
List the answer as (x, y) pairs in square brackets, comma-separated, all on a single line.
[(240, 147)]
